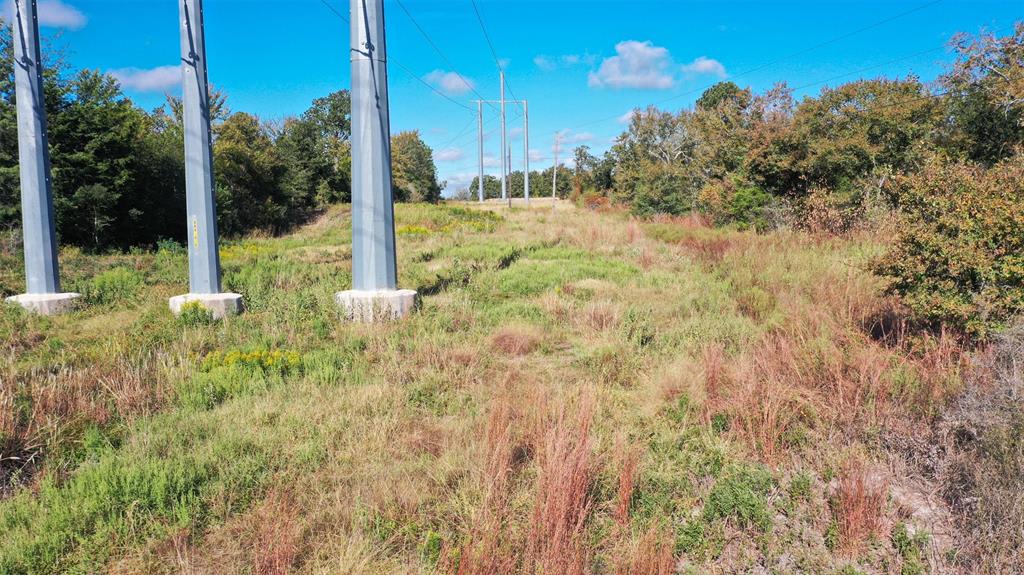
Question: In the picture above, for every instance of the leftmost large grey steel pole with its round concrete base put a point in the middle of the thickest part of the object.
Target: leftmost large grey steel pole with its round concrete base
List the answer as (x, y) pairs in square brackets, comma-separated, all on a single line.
[(41, 270)]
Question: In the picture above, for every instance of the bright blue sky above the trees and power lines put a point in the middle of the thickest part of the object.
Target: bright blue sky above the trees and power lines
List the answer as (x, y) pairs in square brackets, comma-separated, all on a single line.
[(582, 65)]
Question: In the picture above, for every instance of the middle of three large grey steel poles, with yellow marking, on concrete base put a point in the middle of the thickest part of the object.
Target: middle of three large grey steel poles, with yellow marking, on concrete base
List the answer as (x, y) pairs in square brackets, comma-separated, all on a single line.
[(204, 255)]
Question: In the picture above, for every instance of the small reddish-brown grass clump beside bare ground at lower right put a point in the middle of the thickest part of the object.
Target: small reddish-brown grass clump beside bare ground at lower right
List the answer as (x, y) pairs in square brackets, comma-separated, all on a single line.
[(860, 505)]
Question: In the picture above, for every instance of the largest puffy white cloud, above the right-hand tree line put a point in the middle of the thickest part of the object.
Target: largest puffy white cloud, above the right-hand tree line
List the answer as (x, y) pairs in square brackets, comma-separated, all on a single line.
[(637, 65)]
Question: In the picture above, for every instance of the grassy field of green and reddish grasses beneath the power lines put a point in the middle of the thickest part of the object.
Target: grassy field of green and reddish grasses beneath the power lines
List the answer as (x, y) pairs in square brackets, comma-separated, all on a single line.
[(580, 393)]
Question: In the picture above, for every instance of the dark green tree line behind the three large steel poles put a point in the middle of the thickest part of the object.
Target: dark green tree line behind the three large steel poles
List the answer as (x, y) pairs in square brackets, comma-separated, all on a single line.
[(118, 171)]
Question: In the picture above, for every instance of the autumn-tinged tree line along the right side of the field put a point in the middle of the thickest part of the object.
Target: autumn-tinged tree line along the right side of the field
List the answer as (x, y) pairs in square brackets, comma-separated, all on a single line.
[(942, 164)]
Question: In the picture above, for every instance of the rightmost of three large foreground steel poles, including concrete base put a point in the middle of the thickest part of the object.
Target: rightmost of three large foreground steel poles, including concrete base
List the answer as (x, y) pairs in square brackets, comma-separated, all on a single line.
[(375, 296)]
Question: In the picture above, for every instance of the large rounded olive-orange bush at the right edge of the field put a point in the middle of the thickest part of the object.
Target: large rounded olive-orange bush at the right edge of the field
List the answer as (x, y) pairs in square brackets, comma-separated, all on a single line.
[(959, 259)]
